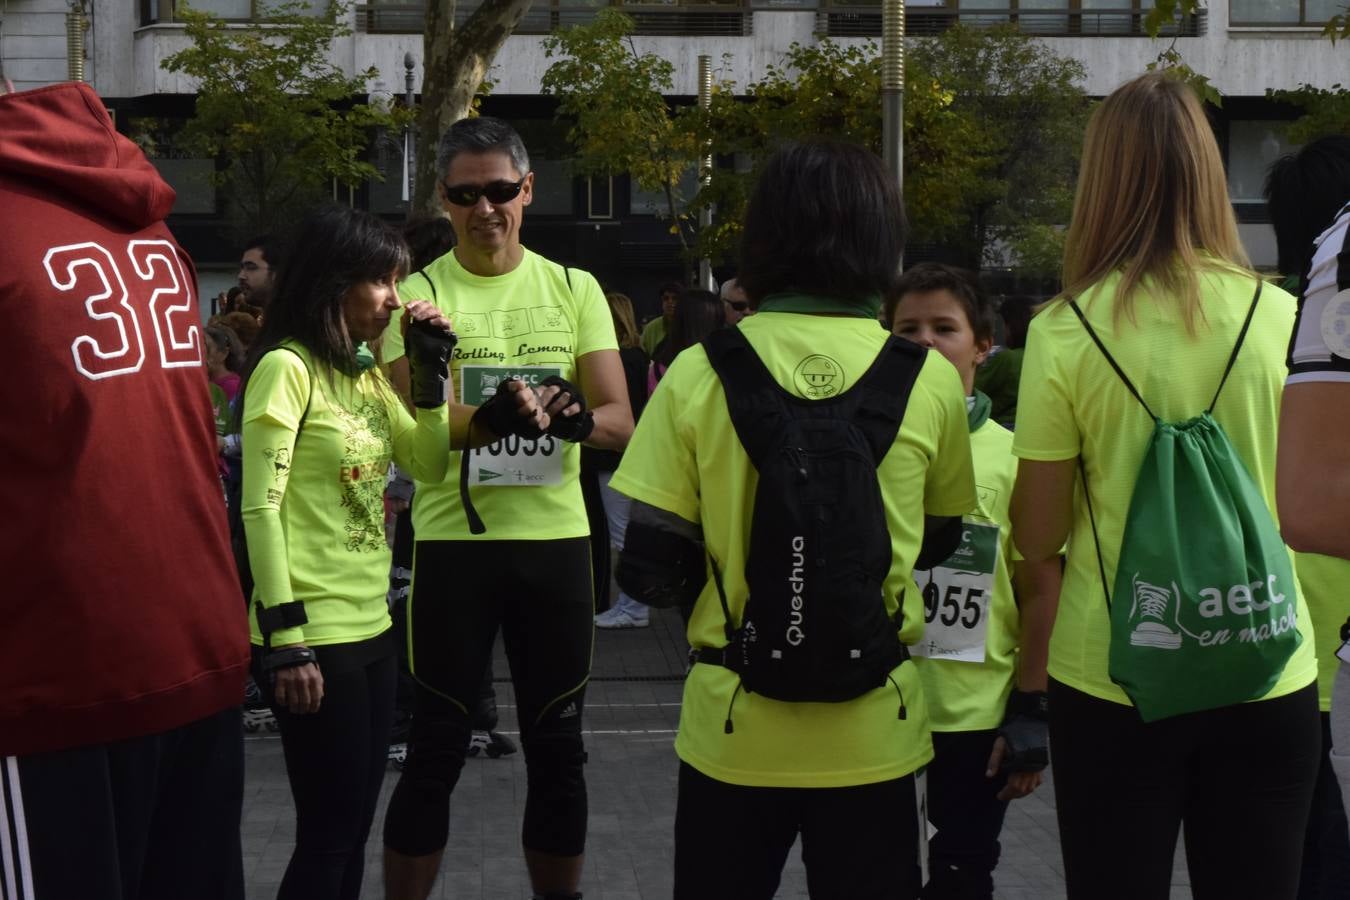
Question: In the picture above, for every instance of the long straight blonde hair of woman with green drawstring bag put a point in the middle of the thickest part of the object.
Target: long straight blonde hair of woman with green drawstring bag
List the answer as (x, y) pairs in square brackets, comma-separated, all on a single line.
[(1152, 200)]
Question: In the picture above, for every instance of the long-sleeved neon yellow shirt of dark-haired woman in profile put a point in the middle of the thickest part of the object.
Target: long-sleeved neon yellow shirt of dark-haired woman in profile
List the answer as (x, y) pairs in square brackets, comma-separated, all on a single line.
[(314, 507)]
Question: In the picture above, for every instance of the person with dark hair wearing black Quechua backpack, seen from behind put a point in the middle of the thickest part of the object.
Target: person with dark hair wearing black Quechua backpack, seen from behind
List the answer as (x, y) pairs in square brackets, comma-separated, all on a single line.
[(765, 755)]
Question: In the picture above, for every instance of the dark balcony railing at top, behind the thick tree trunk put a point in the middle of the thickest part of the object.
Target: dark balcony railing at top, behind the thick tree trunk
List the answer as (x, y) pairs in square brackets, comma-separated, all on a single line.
[(659, 20)]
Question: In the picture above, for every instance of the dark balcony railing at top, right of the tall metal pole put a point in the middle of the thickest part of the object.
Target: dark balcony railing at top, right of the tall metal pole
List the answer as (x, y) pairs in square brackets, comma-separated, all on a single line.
[(855, 21)]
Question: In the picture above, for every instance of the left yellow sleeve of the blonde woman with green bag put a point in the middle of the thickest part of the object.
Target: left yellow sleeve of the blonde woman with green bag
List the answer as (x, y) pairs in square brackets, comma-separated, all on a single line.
[(1047, 428)]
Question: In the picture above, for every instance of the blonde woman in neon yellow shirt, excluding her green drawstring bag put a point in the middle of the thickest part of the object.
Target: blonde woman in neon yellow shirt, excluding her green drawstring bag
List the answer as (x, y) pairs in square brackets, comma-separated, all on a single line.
[(1155, 265)]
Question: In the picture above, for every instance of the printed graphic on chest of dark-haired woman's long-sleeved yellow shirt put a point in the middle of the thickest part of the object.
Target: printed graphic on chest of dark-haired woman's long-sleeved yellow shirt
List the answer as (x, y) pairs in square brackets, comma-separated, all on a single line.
[(368, 446)]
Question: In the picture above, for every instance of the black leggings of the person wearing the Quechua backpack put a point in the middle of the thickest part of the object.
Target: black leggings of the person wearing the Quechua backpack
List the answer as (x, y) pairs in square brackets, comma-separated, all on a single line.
[(858, 843)]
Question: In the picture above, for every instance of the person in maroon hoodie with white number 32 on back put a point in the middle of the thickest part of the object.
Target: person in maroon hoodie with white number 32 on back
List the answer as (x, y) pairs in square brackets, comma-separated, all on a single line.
[(124, 646)]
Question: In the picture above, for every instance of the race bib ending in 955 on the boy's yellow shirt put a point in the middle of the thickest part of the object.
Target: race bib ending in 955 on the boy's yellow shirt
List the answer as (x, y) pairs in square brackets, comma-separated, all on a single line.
[(956, 598)]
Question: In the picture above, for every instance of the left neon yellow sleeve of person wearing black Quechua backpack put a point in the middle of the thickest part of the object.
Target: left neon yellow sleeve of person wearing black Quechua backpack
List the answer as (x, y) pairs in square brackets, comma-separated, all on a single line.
[(661, 465)]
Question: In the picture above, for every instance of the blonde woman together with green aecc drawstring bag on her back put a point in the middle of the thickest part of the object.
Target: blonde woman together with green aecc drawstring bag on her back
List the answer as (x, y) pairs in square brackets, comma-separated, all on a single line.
[(1147, 441)]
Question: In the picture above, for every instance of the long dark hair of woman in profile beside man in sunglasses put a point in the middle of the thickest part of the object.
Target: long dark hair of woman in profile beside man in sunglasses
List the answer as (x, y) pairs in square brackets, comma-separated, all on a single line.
[(333, 250)]
